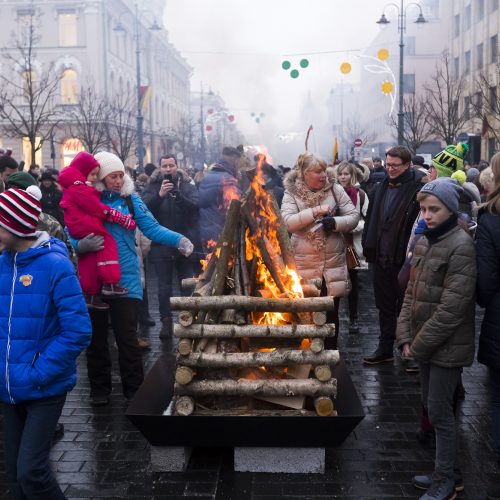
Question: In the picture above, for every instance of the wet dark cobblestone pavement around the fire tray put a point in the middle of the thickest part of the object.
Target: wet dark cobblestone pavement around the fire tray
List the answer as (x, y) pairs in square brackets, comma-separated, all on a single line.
[(102, 455)]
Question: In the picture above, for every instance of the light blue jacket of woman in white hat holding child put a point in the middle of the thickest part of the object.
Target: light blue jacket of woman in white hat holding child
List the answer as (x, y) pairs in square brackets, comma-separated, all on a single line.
[(130, 270)]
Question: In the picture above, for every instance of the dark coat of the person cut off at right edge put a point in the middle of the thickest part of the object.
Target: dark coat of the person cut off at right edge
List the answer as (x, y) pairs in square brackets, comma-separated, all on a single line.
[(488, 288)]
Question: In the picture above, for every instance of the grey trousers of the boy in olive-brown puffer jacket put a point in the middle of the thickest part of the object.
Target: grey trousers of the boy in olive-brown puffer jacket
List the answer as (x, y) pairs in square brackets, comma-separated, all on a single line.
[(438, 386)]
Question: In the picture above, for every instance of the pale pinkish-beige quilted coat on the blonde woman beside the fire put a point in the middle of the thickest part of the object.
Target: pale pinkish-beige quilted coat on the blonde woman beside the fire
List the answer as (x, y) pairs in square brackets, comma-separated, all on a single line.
[(317, 254)]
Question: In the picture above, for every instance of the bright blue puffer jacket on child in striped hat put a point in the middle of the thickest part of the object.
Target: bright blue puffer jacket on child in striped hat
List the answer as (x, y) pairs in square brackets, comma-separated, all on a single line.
[(44, 323)]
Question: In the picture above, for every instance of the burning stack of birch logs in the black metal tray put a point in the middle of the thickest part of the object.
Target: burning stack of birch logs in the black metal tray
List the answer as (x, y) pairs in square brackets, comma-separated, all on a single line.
[(230, 361)]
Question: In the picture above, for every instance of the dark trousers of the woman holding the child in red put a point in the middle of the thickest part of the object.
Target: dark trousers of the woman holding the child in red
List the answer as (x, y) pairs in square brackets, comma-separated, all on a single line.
[(123, 313)]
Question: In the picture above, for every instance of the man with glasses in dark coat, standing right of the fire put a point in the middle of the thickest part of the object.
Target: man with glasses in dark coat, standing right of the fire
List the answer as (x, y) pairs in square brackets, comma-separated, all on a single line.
[(388, 226)]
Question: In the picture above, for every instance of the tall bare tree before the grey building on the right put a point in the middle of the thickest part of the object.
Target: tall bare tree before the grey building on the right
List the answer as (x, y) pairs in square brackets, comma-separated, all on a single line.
[(443, 93)]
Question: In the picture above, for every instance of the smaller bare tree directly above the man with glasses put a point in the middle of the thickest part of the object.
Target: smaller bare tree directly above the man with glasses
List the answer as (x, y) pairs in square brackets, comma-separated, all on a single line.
[(416, 129)]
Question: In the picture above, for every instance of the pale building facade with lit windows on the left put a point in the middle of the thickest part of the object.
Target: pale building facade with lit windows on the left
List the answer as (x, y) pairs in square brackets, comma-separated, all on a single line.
[(95, 44)]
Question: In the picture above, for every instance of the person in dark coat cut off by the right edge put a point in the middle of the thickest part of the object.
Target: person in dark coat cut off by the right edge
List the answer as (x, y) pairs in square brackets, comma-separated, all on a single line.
[(488, 296)]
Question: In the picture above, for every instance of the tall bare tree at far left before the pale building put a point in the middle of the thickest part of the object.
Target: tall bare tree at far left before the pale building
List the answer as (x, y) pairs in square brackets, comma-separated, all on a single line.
[(27, 107)]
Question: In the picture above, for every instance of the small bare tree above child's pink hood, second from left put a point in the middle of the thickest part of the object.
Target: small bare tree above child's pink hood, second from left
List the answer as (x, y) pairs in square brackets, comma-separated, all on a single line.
[(89, 119)]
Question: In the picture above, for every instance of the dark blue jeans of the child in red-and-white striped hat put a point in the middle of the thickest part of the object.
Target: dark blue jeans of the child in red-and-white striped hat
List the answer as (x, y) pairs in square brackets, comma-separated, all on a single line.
[(28, 428)]
